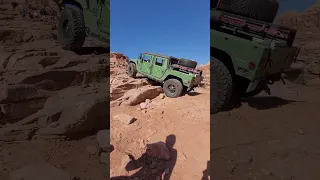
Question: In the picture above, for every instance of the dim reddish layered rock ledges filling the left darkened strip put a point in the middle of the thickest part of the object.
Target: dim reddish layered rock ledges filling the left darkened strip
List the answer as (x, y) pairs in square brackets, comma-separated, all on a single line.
[(54, 103)]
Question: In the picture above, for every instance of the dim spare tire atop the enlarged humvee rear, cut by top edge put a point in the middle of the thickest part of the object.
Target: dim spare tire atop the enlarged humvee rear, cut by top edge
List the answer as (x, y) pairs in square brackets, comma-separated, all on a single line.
[(262, 10)]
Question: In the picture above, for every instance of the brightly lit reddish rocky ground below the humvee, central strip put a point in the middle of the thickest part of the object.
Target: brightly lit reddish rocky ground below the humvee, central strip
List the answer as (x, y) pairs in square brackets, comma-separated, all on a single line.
[(143, 119)]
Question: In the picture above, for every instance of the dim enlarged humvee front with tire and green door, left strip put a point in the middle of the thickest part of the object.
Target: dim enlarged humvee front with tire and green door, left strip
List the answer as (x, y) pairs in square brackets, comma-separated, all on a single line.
[(82, 18)]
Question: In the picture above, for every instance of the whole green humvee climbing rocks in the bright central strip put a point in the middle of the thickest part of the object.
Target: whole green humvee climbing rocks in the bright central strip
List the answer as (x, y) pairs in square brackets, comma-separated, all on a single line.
[(178, 75)]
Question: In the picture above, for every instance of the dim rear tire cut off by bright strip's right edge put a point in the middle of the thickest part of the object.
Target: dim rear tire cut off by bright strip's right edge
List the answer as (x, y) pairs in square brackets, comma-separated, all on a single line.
[(221, 86)]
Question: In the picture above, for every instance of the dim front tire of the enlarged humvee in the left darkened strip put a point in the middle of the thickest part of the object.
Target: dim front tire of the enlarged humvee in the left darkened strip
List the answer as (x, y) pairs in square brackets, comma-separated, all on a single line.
[(71, 28)]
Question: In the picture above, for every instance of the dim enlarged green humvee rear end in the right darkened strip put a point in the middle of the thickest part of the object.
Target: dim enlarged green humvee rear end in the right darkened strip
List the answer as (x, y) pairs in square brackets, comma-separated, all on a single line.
[(248, 51)]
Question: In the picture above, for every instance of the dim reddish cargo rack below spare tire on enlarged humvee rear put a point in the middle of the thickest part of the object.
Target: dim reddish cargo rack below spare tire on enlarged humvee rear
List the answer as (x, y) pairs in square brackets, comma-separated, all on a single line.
[(249, 28)]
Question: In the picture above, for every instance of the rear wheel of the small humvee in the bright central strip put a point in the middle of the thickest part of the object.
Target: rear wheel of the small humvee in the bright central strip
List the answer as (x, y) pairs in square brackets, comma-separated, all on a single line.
[(172, 88)]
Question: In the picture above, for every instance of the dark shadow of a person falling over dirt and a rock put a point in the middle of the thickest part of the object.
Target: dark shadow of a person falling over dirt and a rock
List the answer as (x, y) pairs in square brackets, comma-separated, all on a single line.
[(156, 163)]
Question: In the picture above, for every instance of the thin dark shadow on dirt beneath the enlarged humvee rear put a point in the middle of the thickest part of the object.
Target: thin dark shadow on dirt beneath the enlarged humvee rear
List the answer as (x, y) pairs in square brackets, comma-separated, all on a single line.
[(260, 103)]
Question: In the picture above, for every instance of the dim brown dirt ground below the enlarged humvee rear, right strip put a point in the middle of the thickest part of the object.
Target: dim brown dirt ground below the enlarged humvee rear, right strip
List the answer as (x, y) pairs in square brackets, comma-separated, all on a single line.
[(269, 137)]
